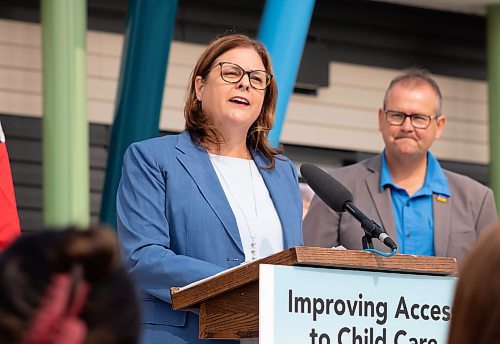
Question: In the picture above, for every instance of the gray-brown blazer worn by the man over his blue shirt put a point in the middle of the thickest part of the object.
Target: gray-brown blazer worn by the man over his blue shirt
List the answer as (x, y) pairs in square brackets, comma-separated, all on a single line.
[(457, 222)]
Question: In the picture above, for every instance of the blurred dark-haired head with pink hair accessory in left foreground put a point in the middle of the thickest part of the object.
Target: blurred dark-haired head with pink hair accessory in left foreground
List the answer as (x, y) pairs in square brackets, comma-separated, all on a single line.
[(66, 287)]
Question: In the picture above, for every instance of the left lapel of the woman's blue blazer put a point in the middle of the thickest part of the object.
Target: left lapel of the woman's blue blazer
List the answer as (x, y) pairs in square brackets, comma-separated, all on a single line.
[(197, 164)]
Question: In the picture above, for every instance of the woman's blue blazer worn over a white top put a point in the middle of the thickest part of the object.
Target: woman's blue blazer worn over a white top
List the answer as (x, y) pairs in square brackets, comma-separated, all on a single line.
[(176, 225)]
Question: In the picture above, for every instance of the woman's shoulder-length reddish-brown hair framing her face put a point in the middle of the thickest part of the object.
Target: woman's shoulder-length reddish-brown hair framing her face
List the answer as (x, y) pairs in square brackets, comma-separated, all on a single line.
[(201, 128)]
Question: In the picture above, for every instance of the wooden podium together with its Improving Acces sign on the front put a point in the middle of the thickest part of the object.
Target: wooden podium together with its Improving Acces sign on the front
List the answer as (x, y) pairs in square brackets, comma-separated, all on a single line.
[(228, 303)]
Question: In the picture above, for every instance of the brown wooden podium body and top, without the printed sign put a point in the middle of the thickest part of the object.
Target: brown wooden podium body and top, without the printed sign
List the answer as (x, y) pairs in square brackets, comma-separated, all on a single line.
[(228, 303)]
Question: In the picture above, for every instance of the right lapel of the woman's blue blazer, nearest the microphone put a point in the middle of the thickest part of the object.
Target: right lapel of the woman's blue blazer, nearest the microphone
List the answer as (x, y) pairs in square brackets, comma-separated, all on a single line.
[(278, 192)]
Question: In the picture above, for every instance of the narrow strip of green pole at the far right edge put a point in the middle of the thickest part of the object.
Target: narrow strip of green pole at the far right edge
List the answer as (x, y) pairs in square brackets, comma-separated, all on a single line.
[(493, 62)]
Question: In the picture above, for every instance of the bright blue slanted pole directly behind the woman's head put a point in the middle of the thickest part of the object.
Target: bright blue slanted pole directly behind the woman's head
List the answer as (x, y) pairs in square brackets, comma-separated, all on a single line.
[(283, 30)]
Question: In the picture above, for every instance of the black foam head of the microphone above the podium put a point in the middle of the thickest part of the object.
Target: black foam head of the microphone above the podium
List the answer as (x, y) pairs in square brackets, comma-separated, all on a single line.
[(334, 194)]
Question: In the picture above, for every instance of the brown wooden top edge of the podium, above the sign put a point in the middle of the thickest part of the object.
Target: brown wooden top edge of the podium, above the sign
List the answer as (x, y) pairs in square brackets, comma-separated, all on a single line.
[(191, 297)]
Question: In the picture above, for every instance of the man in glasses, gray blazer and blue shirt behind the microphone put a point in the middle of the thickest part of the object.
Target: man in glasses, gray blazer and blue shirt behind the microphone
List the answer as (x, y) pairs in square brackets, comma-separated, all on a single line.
[(426, 209)]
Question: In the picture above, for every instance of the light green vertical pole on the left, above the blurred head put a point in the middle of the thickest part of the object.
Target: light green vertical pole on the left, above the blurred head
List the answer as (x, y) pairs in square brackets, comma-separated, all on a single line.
[(65, 144)]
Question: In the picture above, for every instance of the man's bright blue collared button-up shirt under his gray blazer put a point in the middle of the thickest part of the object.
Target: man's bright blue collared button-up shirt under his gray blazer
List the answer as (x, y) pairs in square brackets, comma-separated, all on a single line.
[(413, 215)]
